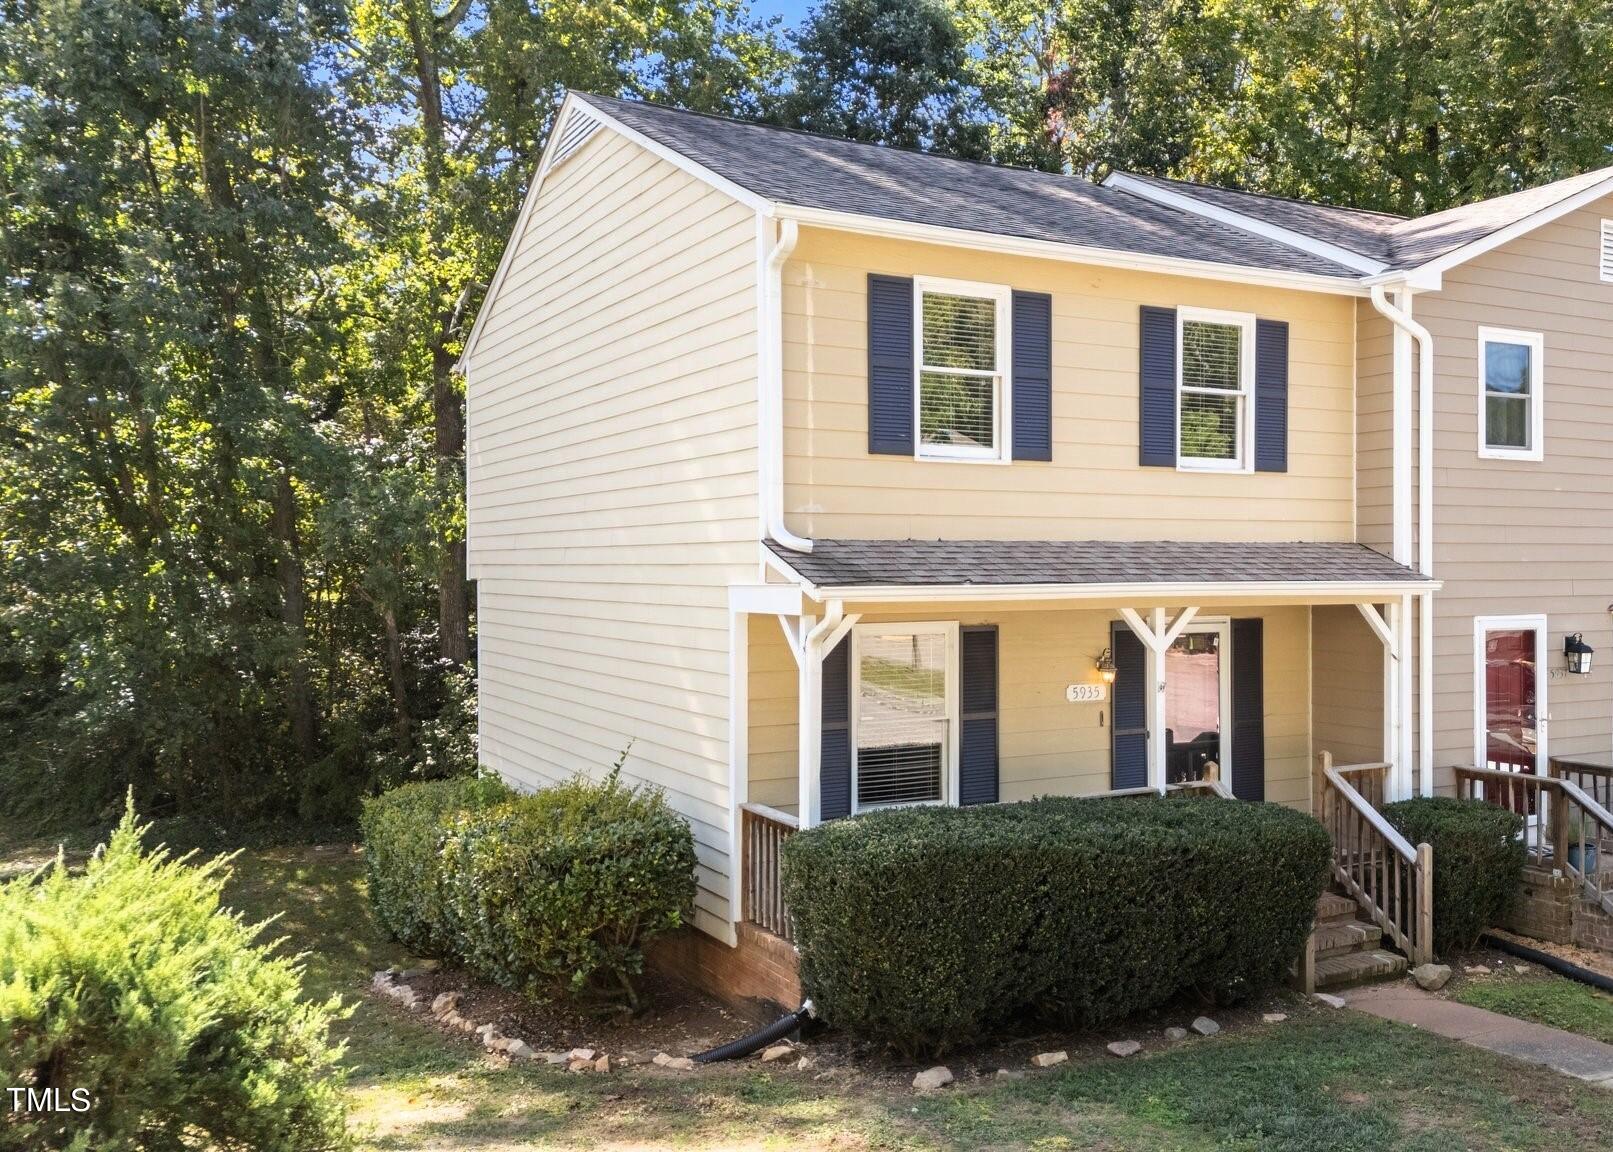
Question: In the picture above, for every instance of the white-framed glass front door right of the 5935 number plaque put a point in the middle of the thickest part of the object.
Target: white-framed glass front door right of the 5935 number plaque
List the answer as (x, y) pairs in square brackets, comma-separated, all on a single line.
[(1198, 690)]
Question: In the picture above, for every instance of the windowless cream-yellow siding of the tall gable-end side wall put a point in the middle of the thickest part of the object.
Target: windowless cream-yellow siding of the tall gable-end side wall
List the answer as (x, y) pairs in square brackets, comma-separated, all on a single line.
[(612, 486)]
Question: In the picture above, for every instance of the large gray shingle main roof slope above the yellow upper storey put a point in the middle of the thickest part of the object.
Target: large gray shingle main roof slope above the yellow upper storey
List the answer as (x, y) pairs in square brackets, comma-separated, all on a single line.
[(822, 172)]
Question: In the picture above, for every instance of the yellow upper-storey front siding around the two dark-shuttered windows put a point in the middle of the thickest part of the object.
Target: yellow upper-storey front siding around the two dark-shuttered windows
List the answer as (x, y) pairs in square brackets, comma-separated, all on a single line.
[(1094, 486)]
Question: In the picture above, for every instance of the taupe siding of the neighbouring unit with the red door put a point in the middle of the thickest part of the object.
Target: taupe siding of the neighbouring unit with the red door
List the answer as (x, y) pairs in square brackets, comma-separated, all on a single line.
[(1515, 536)]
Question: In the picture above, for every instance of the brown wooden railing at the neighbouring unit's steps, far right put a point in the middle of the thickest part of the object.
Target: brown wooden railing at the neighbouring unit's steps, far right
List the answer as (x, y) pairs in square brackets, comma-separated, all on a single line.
[(1565, 827)]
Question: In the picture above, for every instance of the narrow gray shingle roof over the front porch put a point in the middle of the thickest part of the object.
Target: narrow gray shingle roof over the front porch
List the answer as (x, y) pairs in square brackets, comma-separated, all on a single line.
[(851, 564)]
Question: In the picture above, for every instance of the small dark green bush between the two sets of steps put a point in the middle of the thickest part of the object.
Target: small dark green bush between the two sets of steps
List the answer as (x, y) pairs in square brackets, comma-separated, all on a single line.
[(1478, 862)]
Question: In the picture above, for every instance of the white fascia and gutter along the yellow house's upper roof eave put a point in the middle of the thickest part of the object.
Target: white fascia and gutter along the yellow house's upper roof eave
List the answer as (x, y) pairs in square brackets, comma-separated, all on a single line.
[(1017, 246)]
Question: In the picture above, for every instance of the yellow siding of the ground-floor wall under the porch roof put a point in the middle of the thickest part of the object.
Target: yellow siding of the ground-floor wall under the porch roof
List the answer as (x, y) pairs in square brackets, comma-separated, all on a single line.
[(1049, 746)]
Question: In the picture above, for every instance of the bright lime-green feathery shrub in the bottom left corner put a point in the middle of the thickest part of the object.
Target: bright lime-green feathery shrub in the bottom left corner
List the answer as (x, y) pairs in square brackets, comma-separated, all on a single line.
[(133, 987)]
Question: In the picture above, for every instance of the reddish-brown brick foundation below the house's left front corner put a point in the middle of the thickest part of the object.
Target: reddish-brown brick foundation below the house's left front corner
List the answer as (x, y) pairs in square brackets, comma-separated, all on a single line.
[(761, 977)]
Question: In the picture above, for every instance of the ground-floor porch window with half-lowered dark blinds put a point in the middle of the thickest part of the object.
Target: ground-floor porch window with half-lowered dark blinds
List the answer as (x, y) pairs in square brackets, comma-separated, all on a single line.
[(904, 714)]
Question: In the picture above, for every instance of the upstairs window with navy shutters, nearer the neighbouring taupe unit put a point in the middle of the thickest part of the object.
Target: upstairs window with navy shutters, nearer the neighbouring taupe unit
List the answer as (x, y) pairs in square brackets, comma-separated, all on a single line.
[(1215, 386)]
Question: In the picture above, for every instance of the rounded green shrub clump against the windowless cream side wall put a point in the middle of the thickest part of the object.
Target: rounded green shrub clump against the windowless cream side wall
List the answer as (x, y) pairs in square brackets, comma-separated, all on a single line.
[(556, 891)]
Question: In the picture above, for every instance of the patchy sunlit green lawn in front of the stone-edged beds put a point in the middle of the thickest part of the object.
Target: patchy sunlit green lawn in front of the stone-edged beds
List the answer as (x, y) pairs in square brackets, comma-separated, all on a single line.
[(1323, 1080)]
